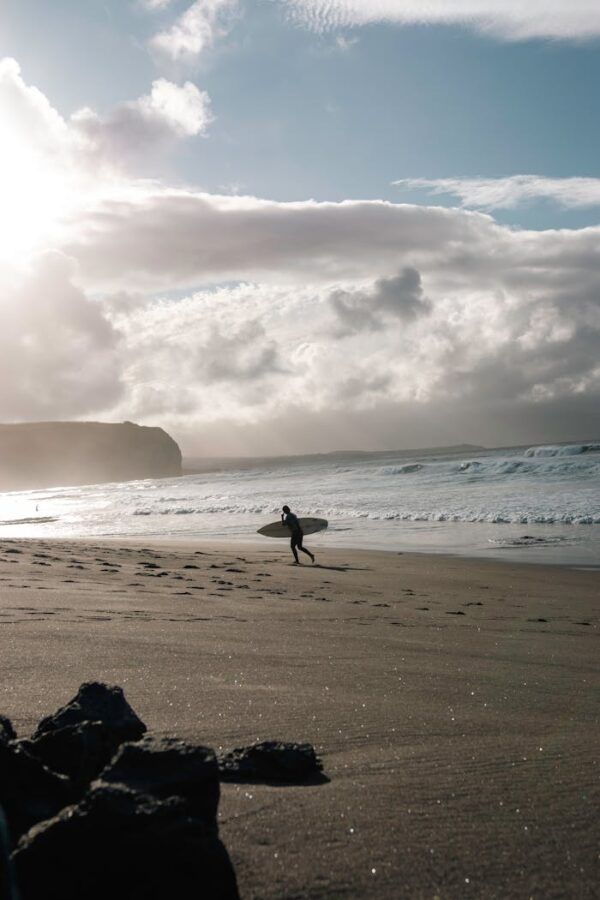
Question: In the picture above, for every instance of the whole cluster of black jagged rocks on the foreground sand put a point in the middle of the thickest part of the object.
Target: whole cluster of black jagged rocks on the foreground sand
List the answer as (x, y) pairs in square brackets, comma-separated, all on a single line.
[(95, 809)]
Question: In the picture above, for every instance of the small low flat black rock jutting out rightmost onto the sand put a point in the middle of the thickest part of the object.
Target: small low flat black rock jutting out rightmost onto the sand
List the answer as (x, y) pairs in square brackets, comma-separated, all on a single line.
[(272, 761)]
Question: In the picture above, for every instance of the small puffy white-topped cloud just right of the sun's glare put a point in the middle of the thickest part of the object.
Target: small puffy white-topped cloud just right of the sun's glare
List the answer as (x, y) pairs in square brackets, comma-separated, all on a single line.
[(142, 126)]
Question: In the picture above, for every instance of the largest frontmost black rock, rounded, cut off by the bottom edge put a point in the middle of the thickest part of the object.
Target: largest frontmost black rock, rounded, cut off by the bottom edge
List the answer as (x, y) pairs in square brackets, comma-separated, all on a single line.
[(119, 844)]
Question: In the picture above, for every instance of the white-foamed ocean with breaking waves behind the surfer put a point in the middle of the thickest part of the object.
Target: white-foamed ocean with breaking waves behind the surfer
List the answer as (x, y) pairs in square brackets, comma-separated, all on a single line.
[(539, 503)]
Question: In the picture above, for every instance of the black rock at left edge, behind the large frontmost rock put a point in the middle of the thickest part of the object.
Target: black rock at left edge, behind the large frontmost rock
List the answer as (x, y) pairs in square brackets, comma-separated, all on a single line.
[(29, 792)]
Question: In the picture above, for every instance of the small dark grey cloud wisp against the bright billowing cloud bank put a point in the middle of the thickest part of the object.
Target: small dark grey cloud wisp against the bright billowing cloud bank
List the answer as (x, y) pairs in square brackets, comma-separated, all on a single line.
[(399, 297)]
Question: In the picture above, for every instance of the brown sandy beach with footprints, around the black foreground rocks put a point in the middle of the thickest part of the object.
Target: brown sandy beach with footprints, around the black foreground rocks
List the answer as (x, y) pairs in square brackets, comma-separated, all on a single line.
[(454, 703)]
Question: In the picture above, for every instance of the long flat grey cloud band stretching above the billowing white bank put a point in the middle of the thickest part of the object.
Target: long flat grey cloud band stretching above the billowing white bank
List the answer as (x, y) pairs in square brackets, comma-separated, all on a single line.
[(169, 238)]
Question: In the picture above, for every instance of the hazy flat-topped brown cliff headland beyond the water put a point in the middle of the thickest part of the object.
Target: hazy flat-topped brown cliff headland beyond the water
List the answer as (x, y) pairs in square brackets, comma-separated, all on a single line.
[(46, 454)]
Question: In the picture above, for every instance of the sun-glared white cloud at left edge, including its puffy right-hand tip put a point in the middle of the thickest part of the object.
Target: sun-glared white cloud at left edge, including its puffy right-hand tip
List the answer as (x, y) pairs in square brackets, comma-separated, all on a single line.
[(51, 167)]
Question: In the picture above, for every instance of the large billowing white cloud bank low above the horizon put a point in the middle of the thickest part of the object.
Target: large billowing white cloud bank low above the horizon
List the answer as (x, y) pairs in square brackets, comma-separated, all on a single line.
[(262, 363)]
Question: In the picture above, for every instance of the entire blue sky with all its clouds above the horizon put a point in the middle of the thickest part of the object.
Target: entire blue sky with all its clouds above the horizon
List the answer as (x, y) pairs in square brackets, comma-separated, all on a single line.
[(288, 226)]
